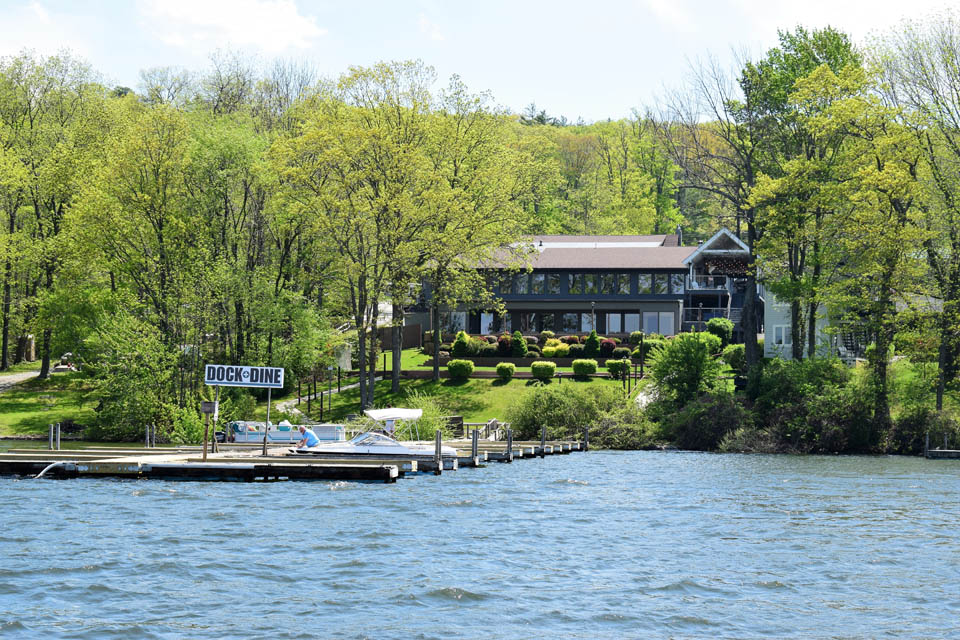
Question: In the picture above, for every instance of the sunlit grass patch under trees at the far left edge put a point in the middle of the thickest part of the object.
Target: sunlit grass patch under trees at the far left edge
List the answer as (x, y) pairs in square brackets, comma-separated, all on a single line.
[(31, 406)]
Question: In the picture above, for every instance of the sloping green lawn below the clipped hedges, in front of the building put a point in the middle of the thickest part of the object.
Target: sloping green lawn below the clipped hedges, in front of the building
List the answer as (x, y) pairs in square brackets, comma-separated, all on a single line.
[(476, 399)]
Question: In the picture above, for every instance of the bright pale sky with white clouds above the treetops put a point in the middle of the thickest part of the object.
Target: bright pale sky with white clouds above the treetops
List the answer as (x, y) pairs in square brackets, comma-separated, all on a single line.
[(579, 59)]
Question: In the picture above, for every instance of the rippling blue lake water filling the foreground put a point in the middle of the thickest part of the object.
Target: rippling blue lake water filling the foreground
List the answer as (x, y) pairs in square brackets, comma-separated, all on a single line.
[(604, 544)]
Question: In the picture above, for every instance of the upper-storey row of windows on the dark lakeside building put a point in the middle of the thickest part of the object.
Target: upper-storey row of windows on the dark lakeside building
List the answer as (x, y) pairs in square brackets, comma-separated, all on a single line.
[(604, 284)]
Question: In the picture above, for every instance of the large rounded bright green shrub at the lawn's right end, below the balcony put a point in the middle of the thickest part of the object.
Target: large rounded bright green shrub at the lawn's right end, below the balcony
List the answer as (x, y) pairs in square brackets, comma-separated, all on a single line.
[(682, 368)]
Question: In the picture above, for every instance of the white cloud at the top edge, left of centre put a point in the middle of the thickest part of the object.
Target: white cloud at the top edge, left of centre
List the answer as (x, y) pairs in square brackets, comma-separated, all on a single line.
[(272, 26)]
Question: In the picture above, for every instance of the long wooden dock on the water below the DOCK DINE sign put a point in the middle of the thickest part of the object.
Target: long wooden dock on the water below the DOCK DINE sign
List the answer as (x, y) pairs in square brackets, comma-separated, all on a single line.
[(247, 464)]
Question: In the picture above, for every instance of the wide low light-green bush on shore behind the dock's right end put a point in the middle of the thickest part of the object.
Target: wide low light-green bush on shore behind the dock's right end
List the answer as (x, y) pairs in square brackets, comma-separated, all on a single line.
[(564, 409)]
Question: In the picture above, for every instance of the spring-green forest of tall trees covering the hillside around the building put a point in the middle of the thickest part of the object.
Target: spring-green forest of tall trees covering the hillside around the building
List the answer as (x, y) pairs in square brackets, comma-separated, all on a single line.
[(261, 214)]
